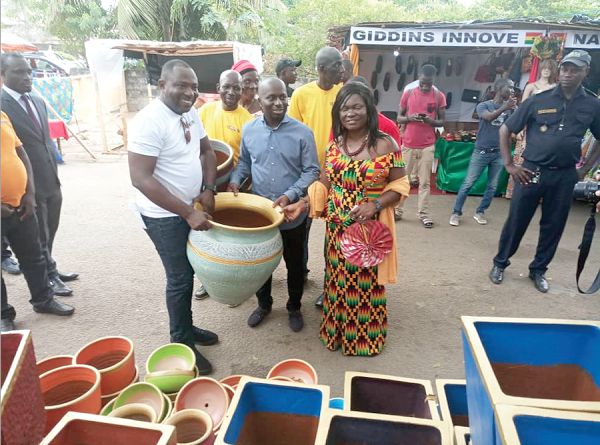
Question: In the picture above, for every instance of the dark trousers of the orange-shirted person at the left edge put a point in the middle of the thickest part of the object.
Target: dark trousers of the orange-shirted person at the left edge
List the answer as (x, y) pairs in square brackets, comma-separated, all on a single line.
[(23, 237)]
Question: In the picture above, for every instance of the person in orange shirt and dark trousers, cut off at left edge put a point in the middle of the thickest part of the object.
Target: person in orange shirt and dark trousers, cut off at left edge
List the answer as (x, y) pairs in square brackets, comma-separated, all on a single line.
[(20, 226)]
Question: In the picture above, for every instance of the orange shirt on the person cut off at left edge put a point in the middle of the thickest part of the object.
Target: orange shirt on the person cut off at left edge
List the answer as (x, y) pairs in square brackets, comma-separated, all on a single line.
[(14, 174)]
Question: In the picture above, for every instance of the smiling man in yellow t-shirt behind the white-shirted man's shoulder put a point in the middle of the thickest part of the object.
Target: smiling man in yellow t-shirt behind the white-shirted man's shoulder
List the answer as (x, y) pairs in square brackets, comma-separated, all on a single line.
[(224, 119)]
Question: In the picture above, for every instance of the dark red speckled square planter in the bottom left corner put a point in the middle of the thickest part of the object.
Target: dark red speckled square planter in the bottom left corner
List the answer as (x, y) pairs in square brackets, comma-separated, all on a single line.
[(23, 415)]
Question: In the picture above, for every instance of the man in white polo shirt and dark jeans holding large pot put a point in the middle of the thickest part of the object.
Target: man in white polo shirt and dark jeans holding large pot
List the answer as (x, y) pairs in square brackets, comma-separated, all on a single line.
[(172, 165)]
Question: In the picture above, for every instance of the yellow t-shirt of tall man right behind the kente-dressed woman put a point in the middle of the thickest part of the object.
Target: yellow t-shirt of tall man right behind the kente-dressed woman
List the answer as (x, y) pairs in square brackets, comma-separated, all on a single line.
[(312, 106)]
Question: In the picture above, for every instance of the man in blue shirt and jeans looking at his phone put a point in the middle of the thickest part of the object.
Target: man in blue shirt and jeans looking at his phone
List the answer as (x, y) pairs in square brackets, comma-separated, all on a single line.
[(492, 114)]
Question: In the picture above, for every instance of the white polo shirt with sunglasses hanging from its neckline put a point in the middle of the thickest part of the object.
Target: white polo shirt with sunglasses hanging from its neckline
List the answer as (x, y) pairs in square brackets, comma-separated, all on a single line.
[(157, 131)]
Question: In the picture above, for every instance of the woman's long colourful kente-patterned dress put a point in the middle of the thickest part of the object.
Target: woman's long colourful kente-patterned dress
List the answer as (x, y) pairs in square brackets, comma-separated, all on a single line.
[(354, 308)]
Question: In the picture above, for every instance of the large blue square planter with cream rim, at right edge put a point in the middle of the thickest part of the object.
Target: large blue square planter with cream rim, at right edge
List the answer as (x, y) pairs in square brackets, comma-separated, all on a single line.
[(536, 342)]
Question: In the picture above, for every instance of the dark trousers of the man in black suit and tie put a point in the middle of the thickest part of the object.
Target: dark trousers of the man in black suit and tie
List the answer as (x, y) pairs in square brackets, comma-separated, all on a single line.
[(48, 215)]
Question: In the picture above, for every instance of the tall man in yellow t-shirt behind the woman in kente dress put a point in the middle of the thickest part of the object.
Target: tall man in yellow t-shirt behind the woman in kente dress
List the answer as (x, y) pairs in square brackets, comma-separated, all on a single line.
[(311, 104)]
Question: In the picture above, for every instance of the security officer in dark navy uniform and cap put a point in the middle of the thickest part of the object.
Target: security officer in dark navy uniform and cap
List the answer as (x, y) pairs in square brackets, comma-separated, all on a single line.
[(556, 122)]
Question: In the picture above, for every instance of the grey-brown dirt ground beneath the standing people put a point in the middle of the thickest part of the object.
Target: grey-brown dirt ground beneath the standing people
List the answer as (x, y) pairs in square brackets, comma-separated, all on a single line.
[(442, 275)]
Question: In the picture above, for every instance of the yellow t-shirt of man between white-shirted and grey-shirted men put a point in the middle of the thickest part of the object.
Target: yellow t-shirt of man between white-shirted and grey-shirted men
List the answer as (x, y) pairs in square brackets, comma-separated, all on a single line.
[(224, 125)]
